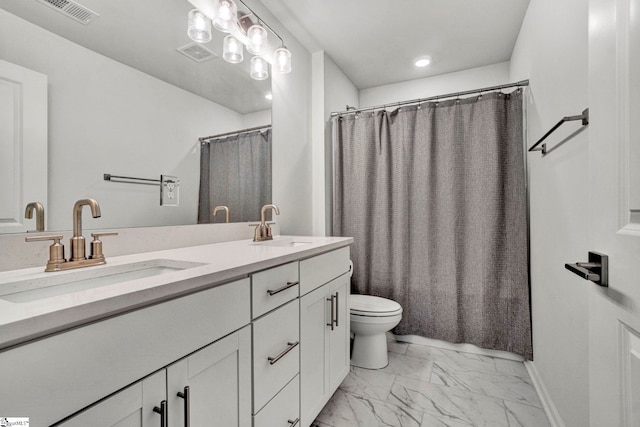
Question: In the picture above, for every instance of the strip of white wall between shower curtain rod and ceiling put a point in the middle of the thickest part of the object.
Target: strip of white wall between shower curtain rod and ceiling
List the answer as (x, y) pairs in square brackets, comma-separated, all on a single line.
[(459, 81)]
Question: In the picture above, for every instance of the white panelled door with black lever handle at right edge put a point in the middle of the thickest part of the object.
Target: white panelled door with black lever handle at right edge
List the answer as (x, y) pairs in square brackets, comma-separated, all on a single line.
[(614, 188)]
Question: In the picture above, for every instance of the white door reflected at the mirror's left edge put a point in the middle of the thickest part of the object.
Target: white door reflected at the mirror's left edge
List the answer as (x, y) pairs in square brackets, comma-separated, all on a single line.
[(23, 145)]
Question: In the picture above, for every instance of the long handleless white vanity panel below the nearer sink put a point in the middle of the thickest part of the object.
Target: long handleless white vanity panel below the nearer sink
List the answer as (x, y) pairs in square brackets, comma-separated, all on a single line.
[(57, 376)]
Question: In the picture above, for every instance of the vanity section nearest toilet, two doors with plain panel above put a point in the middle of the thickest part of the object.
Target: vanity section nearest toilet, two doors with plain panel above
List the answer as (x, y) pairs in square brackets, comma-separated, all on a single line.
[(324, 330)]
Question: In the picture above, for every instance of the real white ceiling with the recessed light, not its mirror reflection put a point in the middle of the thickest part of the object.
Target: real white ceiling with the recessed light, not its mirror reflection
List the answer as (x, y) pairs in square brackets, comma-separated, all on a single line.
[(375, 42)]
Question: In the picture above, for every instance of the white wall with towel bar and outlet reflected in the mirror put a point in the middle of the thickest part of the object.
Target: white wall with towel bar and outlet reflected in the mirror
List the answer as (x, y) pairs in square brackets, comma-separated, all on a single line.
[(105, 117)]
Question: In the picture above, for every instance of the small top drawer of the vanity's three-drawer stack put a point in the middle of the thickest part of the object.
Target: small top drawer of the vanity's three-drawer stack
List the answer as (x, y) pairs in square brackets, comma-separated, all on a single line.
[(274, 287)]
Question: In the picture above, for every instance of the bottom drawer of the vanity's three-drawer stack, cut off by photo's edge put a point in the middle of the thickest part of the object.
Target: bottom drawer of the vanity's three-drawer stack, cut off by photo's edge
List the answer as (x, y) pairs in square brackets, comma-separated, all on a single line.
[(283, 410)]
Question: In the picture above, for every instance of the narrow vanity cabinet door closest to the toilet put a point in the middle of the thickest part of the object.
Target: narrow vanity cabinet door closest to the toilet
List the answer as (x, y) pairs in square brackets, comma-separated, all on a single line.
[(339, 337)]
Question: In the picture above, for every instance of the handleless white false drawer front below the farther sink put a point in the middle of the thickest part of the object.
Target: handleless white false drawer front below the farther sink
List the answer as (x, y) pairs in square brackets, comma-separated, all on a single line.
[(317, 271)]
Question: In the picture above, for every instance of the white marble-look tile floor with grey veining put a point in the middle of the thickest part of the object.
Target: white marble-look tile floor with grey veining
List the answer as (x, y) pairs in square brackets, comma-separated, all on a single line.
[(431, 387)]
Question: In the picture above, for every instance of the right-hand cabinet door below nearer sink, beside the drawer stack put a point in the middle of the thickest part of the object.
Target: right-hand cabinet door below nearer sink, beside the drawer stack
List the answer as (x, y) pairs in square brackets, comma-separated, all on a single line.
[(218, 378)]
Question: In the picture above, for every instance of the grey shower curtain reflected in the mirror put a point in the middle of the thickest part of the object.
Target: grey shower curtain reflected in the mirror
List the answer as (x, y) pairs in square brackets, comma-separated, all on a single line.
[(235, 171)]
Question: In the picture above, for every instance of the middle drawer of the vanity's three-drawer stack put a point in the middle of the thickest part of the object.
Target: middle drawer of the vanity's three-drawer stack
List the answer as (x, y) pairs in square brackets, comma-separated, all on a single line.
[(273, 365)]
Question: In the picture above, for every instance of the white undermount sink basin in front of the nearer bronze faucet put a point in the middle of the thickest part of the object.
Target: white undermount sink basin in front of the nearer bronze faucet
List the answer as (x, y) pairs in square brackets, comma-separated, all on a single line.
[(55, 284)]
